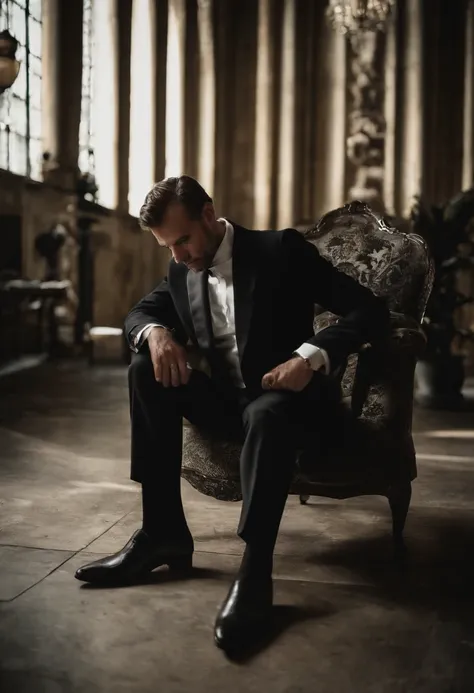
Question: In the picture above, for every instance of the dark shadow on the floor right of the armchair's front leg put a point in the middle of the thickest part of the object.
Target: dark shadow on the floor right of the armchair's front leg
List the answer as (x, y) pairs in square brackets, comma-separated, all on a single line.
[(437, 572)]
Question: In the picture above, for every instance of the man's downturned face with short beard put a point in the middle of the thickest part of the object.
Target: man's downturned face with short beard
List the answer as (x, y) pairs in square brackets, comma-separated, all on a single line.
[(191, 241)]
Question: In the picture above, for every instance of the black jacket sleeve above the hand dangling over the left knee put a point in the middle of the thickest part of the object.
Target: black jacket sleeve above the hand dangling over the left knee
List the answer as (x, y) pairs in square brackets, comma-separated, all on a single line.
[(155, 307)]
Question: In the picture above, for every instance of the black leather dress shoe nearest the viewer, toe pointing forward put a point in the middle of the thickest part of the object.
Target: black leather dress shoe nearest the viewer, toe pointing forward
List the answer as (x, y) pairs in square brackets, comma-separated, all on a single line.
[(245, 614)]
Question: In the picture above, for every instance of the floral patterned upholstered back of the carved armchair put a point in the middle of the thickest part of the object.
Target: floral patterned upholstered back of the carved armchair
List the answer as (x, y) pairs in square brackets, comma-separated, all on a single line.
[(397, 266)]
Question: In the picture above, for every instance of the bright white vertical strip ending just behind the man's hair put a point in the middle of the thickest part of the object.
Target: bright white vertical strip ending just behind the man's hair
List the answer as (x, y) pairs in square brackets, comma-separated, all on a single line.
[(142, 103)]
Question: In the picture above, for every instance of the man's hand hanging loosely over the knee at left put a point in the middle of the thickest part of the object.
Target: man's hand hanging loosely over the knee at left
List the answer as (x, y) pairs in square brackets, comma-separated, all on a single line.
[(168, 357)]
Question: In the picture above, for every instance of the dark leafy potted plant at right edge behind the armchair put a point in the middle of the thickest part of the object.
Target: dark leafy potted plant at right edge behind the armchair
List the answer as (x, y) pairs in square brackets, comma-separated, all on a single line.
[(448, 231)]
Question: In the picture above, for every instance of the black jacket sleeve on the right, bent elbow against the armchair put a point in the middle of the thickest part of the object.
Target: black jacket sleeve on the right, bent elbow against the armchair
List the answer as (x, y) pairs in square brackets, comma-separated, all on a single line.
[(364, 317)]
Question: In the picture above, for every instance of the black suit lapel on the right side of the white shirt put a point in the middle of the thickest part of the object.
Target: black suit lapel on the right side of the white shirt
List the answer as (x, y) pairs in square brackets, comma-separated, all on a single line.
[(244, 273)]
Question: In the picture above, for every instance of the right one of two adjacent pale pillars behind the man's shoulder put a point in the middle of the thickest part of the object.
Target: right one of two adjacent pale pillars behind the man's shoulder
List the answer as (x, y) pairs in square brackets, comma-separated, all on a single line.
[(285, 213)]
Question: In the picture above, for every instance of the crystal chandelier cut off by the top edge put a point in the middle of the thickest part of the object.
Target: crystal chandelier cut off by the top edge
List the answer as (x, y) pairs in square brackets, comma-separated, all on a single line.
[(353, 16)]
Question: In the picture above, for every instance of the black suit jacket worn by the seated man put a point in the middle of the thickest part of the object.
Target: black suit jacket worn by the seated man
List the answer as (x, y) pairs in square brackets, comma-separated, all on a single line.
[(278, 277)]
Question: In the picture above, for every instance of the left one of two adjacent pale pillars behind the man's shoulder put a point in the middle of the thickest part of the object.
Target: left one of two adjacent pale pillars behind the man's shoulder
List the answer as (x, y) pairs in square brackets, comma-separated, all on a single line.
[(265, 114)]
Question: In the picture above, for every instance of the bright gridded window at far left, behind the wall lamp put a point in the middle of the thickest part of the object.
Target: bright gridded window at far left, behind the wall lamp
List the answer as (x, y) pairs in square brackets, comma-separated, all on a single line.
[(20, 106)]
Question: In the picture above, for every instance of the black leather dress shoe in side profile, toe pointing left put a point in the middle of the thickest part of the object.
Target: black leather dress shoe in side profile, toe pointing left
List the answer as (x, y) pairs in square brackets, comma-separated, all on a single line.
[(138, 557)]
